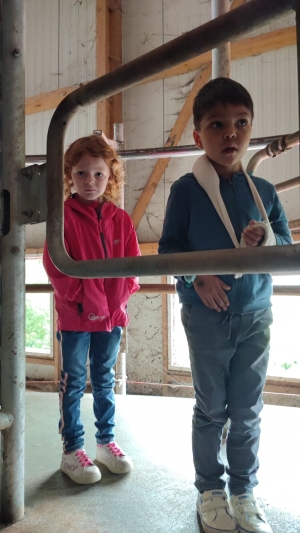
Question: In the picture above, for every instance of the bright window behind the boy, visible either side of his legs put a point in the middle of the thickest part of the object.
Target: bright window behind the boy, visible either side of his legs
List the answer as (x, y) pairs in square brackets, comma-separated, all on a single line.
[(285, 344)]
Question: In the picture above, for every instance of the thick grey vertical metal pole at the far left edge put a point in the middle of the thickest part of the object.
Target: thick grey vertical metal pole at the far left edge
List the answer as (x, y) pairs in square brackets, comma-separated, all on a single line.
[(13, 262)]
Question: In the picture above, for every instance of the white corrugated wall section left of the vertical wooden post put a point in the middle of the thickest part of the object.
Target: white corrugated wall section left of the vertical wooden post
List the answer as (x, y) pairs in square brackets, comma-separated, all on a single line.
[(60, 52)]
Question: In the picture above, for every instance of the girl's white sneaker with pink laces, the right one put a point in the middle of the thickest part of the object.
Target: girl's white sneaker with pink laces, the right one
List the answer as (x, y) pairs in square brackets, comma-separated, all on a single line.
[(112, 456)]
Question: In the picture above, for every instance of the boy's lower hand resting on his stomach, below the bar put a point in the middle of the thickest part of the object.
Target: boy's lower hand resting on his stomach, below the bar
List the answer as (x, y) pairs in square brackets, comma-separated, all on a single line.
[(211, 290)]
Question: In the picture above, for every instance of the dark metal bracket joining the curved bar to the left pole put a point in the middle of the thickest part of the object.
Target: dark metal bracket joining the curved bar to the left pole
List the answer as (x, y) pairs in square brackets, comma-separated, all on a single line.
[(33, 194)]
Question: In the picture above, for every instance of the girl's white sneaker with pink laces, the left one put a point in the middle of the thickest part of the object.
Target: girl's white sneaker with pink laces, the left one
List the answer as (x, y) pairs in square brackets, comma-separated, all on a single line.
[(78, 466)]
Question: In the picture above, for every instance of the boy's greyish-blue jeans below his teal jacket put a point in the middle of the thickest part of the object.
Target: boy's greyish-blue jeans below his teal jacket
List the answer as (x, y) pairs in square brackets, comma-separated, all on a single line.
[(229, 357)]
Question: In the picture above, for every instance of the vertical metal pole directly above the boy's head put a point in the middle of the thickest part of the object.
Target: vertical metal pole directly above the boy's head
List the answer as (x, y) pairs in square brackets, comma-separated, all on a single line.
[(220, 55)]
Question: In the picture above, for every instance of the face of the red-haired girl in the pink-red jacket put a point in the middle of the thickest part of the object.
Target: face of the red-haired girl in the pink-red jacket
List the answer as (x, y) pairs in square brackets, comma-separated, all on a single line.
[(90, 177)]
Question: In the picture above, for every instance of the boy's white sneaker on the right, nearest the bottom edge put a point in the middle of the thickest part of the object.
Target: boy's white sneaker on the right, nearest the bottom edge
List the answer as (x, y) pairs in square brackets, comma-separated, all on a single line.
[(249, 517)]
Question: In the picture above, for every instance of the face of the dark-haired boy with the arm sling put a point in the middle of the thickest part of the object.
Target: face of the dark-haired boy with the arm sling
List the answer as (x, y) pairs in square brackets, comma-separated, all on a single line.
[(224, 135)]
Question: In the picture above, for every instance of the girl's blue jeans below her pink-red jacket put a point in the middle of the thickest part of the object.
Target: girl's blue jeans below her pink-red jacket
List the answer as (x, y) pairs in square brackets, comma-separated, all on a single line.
[(102, 348)]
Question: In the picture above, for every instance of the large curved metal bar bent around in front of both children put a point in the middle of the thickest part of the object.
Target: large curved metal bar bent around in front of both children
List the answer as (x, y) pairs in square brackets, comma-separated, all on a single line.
[(191, 44)]
